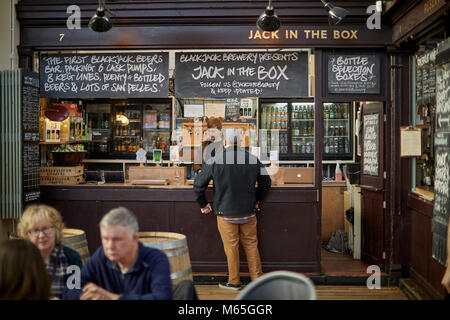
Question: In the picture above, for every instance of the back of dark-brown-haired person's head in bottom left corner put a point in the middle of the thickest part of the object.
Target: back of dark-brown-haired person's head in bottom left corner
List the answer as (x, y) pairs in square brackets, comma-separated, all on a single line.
[(22, 272)]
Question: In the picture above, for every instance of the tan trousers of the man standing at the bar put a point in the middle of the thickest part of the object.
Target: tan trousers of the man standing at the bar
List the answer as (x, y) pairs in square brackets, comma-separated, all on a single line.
[(231, 234)]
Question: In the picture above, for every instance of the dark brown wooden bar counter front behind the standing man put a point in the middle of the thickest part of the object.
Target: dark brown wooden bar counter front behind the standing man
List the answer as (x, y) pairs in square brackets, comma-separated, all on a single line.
[(288, 226)]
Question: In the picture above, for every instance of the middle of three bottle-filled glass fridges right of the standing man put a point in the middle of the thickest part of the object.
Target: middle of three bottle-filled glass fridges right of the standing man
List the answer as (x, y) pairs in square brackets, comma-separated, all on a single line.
[(302, 128)]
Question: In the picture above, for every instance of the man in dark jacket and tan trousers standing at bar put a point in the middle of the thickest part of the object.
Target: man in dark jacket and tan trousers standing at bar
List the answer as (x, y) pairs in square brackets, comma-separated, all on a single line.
[(236, 199)]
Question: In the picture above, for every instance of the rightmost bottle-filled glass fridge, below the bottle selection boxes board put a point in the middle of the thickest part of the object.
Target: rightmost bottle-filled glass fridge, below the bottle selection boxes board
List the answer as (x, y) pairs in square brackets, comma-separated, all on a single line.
[(336, 128)]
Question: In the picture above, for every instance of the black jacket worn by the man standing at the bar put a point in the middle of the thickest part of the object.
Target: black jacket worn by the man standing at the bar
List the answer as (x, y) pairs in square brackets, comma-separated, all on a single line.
[(235, 173)]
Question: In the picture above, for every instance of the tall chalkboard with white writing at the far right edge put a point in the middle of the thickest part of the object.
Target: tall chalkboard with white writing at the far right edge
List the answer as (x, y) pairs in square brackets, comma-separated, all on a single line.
[(441, 203)]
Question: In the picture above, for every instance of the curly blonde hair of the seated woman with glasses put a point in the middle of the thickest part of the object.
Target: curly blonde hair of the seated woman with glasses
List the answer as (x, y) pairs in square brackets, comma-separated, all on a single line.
[(35, 212)]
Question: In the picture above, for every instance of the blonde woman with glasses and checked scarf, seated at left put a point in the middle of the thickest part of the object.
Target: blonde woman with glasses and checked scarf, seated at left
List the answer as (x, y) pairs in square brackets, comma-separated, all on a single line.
[(42, 225)]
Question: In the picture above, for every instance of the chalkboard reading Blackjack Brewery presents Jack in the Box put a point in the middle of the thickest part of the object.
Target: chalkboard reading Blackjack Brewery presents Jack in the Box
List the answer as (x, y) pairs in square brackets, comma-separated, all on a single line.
[(241, 74)]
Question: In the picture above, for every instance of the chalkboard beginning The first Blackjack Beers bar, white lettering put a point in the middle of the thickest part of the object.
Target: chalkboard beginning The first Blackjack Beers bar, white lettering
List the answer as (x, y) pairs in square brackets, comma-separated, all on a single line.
[(104, 75)]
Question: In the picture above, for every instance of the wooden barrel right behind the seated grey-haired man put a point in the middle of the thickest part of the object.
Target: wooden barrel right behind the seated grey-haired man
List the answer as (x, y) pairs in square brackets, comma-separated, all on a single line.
[(174, 245)]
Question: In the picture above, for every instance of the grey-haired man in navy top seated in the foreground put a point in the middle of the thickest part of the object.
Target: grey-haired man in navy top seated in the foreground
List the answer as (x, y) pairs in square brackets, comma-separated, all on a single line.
[(123, 268)]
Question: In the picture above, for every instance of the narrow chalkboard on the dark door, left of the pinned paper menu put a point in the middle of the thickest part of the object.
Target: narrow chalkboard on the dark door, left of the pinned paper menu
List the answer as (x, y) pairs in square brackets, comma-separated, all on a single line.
[(371, 153)]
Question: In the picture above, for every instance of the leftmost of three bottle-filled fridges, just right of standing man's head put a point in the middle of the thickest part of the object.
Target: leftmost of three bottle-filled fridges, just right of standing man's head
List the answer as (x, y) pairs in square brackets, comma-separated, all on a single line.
[(274, 119)]
